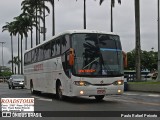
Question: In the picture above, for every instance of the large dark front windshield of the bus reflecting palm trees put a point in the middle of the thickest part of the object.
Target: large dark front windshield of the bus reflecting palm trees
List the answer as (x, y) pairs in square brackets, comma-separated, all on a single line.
[(97, 55)]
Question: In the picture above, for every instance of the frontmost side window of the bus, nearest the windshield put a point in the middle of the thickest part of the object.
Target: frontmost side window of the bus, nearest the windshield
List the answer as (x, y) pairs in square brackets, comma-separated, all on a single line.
[(65, 43)]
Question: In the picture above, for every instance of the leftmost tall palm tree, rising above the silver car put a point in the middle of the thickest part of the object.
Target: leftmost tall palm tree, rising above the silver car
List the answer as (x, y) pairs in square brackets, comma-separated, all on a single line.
[(10, 28)]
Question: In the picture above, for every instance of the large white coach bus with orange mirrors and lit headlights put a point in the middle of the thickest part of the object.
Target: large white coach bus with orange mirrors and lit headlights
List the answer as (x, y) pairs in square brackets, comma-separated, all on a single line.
[(76, 63)]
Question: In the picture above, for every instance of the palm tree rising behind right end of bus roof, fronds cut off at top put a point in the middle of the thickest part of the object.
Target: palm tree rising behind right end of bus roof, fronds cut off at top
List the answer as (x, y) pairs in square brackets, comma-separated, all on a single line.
[(112, 5)]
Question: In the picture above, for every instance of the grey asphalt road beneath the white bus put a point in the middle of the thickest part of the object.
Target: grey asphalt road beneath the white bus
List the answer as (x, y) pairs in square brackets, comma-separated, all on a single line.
[(129, 101)]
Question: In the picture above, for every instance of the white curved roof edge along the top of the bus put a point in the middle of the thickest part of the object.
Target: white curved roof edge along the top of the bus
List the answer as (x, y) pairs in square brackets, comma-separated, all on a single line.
[(72, 32)]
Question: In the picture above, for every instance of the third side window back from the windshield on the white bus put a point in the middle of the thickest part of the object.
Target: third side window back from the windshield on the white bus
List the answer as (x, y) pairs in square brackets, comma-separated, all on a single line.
[(47, 50)]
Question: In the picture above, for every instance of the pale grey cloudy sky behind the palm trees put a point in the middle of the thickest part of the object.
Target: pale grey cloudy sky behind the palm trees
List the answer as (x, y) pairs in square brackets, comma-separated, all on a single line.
[(69, 15)]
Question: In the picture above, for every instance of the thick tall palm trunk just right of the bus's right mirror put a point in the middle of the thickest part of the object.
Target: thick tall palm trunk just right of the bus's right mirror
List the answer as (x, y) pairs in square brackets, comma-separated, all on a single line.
[(138, 46)]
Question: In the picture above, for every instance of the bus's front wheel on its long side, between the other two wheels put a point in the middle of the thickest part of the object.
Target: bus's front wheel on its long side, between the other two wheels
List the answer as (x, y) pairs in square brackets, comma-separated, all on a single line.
[(59, 93)]
